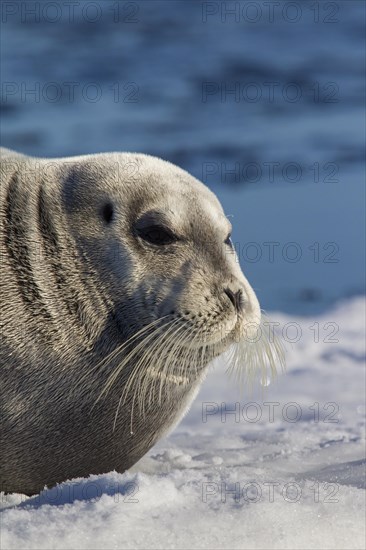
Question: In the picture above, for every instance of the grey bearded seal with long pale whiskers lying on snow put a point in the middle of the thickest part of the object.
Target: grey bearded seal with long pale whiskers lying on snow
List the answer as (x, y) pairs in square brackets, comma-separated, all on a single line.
[(119, 285)]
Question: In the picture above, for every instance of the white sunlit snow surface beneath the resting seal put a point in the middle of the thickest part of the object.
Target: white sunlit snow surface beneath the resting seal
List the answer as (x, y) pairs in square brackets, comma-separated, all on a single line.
[(226, 481)]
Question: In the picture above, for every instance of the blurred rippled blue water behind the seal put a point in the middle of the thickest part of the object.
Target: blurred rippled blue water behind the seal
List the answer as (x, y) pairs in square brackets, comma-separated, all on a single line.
[(265, 105)]
